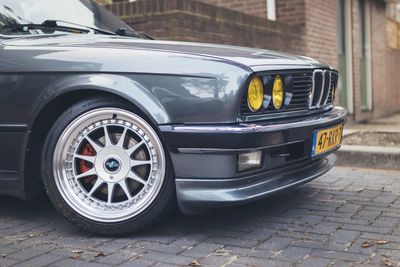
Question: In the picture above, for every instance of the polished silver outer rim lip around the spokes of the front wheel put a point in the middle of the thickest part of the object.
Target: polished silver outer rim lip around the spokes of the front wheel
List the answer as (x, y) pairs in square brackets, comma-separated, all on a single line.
[(61, 176)]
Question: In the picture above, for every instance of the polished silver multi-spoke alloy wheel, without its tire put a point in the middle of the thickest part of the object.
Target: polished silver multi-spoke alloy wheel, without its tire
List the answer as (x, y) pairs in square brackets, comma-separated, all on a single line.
[(109, 165)]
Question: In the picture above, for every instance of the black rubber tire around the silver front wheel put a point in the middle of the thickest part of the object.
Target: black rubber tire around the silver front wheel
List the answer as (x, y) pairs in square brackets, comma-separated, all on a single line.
[(154, 211)]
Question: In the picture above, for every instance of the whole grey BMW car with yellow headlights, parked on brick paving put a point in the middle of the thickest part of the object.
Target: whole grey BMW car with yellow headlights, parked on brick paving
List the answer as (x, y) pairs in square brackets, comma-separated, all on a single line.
[(117, 127)]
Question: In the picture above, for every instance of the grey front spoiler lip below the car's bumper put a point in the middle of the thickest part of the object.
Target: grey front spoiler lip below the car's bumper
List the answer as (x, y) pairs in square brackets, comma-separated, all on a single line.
[(198, 195)]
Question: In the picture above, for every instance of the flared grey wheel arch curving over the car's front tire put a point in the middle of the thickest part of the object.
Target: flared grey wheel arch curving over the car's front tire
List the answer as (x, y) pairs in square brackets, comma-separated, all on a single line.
[(57, 99)]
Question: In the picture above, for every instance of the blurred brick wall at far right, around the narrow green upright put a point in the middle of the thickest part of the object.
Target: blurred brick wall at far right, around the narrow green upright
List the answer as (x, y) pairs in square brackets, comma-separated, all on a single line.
[(385, 65)]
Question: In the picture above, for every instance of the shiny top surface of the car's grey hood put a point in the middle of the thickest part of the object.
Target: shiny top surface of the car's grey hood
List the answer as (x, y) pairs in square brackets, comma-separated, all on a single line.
[(255, 59)]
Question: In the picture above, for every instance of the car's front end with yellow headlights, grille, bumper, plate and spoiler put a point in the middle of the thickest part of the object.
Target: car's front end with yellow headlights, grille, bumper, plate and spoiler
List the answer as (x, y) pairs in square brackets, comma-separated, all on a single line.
[(273, 146)]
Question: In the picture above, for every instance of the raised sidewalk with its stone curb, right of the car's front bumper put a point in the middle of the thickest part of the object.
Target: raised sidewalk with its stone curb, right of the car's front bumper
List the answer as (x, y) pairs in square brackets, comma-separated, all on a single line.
[(375, 144)]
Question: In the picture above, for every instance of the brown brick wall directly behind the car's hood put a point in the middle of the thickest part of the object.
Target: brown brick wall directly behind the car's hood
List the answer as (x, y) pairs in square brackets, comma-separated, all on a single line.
[(291, 21)]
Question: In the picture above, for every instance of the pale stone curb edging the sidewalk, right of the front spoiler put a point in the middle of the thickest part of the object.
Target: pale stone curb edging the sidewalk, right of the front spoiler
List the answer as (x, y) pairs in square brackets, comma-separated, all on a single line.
[(373, 157)]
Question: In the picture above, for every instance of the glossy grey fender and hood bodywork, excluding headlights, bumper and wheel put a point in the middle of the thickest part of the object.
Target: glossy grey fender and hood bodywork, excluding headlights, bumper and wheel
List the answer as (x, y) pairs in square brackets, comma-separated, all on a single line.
[(170, 82)]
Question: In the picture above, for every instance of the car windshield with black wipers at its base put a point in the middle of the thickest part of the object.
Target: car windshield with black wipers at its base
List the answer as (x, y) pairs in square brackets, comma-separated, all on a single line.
[(68, 13)]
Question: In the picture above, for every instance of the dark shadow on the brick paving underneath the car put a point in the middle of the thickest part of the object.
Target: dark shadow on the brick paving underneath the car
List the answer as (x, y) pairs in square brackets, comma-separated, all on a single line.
[(18, 216)]
